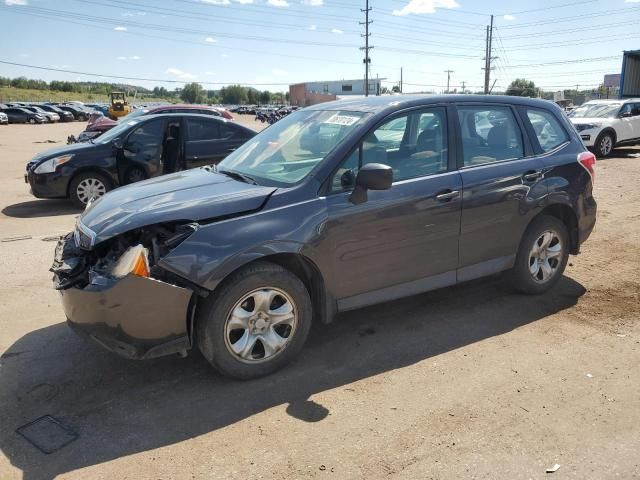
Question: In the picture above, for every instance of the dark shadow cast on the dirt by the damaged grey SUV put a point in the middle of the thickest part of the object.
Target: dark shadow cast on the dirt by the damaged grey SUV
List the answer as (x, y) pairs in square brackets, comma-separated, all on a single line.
[(121, 407)]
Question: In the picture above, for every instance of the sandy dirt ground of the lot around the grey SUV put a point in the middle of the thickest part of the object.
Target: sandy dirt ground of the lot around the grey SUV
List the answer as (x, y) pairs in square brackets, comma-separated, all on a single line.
[(469, 382)]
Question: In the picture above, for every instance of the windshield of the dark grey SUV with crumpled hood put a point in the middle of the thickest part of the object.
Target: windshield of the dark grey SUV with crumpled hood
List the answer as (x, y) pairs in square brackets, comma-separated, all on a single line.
[(287, 151)]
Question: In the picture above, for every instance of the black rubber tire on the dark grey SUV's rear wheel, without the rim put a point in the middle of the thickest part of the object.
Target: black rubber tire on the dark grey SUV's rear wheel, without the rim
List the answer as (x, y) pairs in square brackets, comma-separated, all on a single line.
[(521, 276)]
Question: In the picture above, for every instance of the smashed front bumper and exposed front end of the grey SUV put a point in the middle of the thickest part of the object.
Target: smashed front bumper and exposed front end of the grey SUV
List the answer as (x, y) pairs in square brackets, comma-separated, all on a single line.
[(136, 316)]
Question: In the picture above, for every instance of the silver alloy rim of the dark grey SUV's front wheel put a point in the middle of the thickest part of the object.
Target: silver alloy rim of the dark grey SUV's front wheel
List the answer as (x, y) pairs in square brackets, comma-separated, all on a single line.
[(260, 325)]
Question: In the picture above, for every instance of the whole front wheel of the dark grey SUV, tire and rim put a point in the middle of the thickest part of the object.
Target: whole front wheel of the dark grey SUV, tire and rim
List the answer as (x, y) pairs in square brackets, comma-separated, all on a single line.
[(256, 322)]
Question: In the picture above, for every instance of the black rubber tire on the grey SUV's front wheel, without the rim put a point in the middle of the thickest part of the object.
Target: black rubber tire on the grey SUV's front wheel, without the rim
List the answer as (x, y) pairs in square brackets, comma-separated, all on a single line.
[(213, 312)]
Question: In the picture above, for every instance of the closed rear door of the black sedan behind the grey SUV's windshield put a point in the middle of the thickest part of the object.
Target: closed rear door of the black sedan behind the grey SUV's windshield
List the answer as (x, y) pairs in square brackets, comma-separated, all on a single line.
[(210, 140)]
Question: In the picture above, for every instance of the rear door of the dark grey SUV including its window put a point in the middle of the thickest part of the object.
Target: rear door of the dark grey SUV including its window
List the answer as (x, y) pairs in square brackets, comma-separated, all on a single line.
[(501, 178)]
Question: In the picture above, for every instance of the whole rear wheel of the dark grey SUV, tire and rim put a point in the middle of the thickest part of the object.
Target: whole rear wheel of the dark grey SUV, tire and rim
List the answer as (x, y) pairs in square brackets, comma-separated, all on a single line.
[(542, 256)]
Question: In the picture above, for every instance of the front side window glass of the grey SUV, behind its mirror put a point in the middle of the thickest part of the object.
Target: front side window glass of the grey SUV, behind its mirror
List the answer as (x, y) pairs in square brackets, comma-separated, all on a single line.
[(413, 145)]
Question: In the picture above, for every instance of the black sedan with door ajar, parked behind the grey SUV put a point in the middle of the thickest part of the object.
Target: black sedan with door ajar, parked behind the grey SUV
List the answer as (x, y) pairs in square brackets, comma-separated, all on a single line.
[(137, 149)]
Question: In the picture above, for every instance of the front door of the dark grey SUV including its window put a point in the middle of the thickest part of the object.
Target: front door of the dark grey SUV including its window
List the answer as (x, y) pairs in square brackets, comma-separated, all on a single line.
[(403, 240)]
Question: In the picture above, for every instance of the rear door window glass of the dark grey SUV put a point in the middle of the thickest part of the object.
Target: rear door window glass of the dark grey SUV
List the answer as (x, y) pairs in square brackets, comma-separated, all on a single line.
[(489, 134)]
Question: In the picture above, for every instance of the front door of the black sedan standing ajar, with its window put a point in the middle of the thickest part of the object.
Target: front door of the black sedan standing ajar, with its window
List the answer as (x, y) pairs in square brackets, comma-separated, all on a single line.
[(141, 153)]
